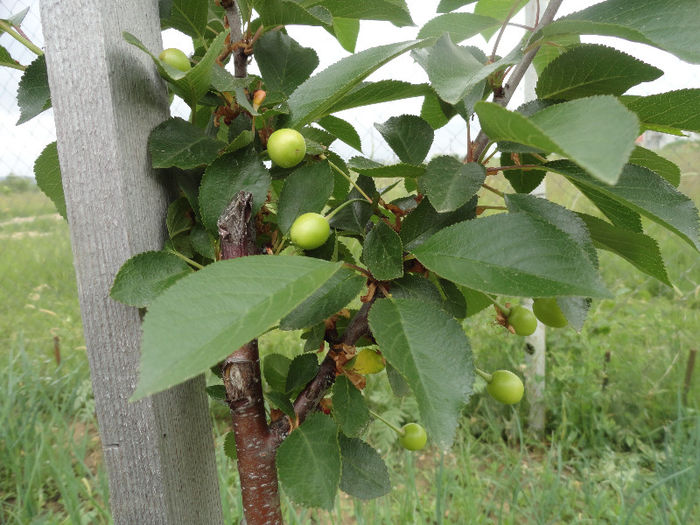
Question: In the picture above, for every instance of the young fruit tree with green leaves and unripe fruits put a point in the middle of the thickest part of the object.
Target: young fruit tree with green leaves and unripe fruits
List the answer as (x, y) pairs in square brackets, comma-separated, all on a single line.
[(376, 264)]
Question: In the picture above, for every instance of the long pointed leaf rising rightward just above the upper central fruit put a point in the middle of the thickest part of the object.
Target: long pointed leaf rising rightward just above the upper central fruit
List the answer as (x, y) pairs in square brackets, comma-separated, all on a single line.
[(315, 97)]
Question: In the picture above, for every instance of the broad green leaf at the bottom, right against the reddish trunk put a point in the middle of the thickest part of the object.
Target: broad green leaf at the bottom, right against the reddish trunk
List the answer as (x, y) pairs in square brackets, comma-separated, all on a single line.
[(308, 462)]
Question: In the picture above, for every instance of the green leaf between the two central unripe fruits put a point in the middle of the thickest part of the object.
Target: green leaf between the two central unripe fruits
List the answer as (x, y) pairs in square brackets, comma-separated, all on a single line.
[(307, 189)]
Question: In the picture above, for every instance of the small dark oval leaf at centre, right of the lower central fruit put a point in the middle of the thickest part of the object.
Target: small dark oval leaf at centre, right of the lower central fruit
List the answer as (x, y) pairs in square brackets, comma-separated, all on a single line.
[(382, 252)]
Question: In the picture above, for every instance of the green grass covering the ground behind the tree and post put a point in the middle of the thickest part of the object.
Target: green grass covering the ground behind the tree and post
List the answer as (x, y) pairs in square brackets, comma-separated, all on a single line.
[(621, 445)]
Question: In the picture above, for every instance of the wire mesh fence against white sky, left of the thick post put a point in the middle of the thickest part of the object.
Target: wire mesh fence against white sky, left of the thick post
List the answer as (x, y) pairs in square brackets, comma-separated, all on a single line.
[(20, 145)]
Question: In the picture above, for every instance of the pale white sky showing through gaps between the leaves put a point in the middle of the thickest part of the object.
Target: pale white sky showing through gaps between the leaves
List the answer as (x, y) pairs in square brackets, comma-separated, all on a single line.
[(20, 145)]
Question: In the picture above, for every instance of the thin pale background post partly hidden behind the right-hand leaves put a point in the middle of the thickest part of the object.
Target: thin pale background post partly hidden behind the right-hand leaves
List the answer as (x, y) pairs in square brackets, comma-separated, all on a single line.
[(536, 343)]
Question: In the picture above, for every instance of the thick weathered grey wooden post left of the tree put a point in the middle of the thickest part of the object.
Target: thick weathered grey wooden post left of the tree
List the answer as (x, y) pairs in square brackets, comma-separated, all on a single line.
[(107, 97)]
